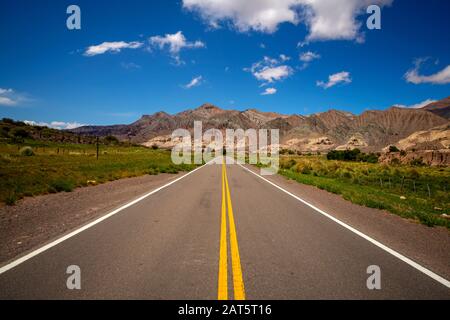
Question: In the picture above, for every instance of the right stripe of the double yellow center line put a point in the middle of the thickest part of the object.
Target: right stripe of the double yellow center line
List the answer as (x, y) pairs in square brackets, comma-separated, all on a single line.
[(238, 282)]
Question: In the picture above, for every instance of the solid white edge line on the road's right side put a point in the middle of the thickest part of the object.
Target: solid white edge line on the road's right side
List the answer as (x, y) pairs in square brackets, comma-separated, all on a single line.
[(413, 264)]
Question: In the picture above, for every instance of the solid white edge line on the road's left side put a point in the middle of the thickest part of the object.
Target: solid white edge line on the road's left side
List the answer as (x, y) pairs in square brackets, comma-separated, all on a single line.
[(36, 252)]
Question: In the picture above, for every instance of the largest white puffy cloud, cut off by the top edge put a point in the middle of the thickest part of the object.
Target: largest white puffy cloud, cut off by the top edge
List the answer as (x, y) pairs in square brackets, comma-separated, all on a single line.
[(325, 19)]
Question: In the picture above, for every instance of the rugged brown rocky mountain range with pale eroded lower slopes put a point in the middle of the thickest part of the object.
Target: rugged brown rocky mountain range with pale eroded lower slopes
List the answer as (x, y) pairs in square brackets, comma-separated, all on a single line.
[(370, 131)]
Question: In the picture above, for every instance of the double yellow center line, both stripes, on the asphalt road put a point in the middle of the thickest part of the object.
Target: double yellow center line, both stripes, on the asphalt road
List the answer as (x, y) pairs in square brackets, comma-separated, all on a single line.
[(238, 282)]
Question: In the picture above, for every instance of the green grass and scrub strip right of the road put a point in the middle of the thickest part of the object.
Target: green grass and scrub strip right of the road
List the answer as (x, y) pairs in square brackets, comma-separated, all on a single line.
[(418, 193)]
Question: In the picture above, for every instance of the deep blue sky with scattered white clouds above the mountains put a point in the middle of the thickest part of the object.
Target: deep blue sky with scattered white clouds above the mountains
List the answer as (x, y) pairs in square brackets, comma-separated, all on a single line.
[(51, 74)]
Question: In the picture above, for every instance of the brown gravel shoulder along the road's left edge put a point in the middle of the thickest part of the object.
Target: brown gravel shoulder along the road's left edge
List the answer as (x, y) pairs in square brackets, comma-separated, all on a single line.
[(35, 221)]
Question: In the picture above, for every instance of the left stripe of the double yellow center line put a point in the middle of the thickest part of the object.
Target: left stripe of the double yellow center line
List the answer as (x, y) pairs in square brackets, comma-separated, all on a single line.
[(223, 263)]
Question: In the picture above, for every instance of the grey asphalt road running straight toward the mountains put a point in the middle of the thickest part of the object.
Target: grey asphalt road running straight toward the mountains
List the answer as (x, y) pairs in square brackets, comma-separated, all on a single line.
[(217, 234)]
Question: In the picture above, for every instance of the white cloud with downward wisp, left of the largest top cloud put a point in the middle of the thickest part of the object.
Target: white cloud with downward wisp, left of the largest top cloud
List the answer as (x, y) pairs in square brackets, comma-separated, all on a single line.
[(175, 43)]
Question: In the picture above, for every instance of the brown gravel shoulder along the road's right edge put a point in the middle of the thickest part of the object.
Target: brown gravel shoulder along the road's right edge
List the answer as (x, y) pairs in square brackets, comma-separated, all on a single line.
[(427, 246)]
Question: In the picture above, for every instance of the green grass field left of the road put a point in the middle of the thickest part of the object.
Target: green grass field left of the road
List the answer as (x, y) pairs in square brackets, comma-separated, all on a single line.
[(59, 167)]
